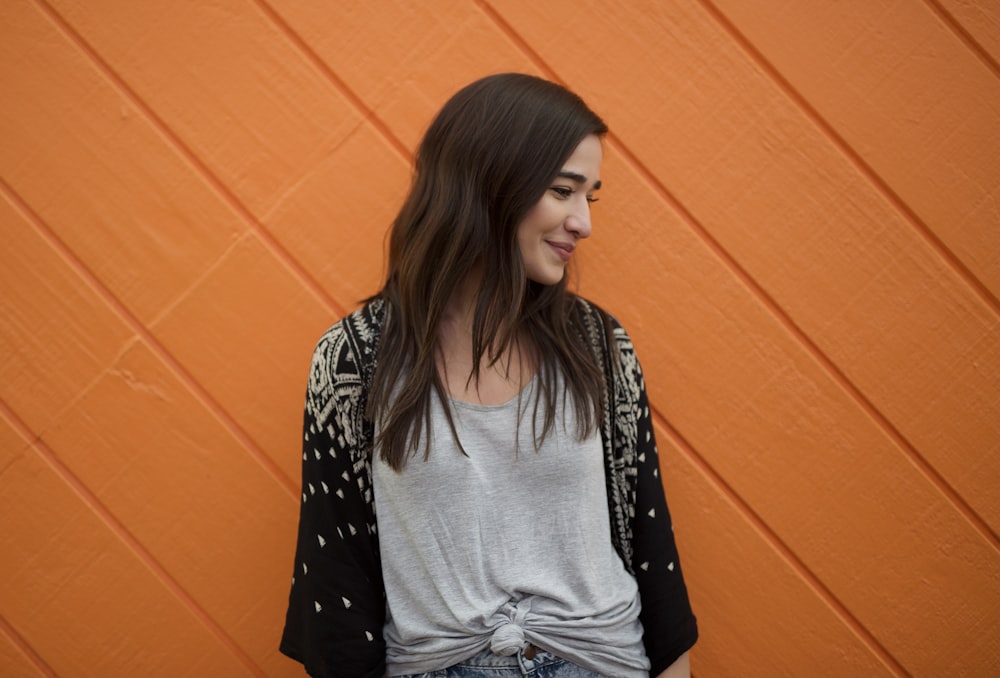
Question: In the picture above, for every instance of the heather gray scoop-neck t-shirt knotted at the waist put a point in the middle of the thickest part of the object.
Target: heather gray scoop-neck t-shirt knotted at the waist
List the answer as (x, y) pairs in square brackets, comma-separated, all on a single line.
[(505, 546)]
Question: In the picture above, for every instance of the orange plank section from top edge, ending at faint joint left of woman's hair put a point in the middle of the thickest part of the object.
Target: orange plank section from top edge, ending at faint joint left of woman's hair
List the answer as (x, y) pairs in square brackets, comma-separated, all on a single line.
[(227, 82)]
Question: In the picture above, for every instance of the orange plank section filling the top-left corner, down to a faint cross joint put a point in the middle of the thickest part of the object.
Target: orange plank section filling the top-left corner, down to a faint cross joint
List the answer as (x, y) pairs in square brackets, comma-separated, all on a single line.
[(78, 151)]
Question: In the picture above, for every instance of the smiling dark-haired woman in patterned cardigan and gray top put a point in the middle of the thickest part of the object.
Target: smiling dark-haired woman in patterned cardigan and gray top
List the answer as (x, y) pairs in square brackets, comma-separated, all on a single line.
[(497, 423)]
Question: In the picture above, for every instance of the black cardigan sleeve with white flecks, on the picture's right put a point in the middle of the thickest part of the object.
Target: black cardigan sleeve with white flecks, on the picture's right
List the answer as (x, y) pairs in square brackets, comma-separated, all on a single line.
[(669, 625)]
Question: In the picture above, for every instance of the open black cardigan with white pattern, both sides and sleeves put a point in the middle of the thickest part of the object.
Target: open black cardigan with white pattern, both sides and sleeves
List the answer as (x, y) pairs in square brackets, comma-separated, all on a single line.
[(336, 606)]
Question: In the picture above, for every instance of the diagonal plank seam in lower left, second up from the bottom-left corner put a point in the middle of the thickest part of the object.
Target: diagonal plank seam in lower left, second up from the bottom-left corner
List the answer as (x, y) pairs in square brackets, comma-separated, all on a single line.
[(122, 533)]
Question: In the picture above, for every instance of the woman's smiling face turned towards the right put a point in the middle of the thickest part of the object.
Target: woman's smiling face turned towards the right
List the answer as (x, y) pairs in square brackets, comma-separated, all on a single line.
[(552, 228)]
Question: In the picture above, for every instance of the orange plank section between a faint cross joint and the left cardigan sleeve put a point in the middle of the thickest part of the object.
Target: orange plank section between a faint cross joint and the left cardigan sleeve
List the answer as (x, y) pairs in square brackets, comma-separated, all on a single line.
[(251, 307)]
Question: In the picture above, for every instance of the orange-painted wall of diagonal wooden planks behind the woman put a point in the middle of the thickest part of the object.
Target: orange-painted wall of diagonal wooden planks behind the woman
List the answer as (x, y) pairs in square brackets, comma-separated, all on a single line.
[(799, 228)]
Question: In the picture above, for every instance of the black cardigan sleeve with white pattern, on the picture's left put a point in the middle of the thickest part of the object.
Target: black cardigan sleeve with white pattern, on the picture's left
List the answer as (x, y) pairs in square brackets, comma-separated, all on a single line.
[(336, 607)]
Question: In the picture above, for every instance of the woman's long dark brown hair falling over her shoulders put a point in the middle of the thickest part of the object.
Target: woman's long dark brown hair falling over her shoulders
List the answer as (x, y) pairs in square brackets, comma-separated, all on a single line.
[(484, 162)]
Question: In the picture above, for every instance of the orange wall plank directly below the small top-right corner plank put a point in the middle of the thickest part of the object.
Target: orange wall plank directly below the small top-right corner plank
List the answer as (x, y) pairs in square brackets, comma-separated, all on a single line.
[(906, 73)]
